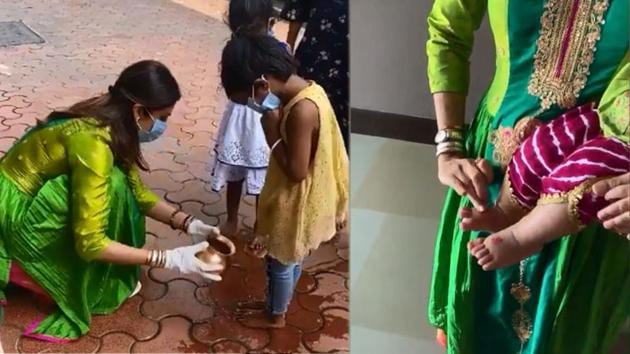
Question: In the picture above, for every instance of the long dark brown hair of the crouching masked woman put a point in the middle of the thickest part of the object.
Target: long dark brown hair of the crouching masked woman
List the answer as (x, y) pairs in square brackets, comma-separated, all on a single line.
[(148, 83)]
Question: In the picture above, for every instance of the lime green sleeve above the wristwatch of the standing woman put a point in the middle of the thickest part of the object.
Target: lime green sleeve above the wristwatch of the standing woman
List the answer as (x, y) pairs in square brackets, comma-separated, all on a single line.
[(452, 24)]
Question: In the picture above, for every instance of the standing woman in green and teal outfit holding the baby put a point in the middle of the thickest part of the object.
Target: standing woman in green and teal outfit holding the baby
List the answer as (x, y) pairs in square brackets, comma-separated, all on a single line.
[(551, 55)]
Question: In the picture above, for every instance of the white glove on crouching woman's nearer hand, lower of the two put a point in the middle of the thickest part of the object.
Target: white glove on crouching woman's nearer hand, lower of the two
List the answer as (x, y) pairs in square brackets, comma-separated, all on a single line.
[(183, 260)]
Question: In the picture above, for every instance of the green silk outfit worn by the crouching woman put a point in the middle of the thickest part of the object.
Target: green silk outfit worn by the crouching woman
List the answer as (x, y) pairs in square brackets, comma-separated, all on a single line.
[(62, 201)]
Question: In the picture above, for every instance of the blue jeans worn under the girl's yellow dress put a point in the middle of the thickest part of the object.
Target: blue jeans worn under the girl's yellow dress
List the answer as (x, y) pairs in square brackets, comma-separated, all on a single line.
[(281, 282)]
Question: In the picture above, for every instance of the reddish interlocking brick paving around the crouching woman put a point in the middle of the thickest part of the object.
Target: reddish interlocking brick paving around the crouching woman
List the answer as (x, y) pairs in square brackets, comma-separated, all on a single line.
[(87, 44)]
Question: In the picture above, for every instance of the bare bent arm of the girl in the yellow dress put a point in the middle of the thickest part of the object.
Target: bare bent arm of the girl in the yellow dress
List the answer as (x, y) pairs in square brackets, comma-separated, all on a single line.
[(294, 154)]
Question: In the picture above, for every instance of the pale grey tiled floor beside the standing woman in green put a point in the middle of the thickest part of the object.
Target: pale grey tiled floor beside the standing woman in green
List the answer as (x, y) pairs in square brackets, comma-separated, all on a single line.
[(396, 199)]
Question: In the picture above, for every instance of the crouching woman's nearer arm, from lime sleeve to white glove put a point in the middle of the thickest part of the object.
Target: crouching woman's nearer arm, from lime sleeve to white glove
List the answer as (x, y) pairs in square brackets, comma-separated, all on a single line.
[(91, 165)]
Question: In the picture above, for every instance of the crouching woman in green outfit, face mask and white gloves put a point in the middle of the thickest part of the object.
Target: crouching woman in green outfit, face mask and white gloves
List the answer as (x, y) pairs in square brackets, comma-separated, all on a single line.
[(72, 204)]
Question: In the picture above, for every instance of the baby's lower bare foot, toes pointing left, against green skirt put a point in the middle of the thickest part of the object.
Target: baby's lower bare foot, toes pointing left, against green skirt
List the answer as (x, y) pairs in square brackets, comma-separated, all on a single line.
[(501, 249)]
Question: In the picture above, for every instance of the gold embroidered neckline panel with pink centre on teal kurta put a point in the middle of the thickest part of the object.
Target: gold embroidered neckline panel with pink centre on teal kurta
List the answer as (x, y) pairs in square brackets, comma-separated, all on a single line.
[(561, 62)]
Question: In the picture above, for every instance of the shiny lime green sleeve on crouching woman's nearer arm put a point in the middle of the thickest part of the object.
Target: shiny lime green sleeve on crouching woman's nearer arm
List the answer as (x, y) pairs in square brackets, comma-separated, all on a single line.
[(91, 162)]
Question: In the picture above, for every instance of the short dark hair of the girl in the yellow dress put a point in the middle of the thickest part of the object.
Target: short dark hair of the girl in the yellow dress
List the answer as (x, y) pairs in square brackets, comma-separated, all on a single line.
[(246, 58)]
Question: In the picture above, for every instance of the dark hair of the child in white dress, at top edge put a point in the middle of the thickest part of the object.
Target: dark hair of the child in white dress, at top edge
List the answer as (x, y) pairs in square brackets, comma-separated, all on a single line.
[(249, 16)]
